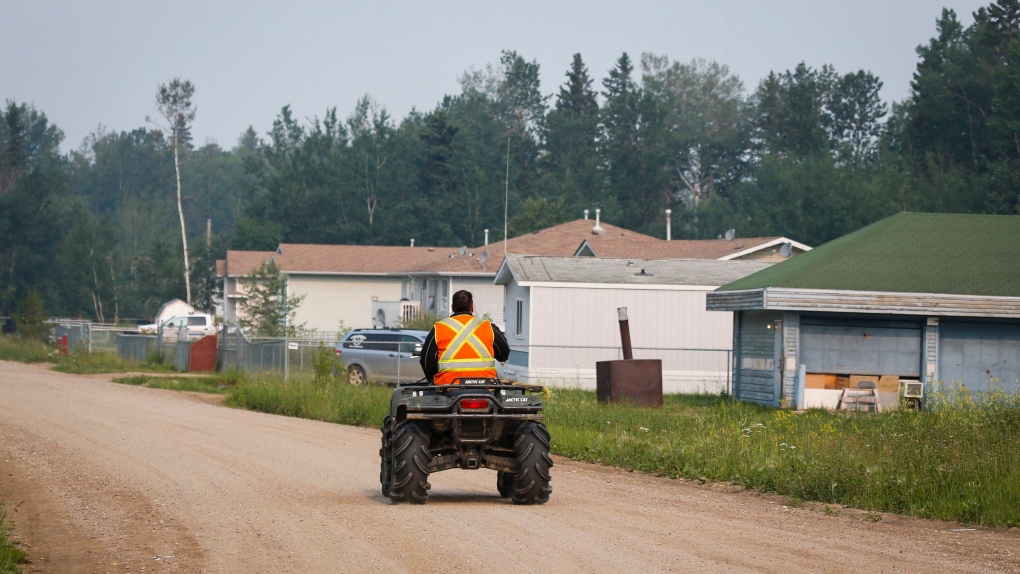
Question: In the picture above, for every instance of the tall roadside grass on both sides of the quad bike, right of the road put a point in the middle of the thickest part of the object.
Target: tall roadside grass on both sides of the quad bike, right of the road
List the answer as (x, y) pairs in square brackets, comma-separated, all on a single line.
[(957, 461)]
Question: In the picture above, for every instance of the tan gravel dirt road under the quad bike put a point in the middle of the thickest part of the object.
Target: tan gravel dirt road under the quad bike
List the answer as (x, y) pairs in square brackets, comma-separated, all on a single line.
[(116, 479)]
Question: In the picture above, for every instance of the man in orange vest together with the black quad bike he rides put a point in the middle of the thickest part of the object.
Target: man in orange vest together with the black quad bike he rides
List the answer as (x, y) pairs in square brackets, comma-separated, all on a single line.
[(466, 418)]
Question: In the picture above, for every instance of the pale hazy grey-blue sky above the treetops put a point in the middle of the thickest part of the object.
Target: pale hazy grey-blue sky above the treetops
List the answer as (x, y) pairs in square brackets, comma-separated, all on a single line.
[(92, 64)]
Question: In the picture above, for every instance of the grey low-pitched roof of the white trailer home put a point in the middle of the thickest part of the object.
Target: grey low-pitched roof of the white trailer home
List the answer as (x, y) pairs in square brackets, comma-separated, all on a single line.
[(696, 273)]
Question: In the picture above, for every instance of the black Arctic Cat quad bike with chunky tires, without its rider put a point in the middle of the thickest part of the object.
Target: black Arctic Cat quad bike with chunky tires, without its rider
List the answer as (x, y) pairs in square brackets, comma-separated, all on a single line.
[(479, 424)]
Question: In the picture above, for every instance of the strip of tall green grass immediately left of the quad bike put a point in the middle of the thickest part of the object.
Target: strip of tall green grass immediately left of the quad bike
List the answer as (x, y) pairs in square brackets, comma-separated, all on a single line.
[(329, 400)]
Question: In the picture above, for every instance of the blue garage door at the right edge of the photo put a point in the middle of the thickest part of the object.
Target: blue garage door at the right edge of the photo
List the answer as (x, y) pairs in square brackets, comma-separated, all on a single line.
[(978, 353)]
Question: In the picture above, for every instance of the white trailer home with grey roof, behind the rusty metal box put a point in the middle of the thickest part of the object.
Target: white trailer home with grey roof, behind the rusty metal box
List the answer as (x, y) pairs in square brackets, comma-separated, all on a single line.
[(563, 318)]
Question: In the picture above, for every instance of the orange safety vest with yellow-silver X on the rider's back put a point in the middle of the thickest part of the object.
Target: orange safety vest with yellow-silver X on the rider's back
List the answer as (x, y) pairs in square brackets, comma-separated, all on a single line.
[(466, 349)]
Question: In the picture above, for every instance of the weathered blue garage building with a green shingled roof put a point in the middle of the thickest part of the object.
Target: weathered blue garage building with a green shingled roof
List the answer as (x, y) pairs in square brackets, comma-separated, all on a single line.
[(915, 297)]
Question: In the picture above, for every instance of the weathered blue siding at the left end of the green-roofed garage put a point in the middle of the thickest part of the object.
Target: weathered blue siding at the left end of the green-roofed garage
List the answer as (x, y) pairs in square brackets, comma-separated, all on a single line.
[(756, 342)]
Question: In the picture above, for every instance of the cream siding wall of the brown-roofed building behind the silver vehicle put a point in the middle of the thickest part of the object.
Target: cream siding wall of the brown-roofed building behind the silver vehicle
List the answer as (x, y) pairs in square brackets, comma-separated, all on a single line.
[(333, 299)]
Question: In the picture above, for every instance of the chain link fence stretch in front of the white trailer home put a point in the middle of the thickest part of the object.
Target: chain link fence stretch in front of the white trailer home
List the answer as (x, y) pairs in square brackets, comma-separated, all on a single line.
[(684, 371)]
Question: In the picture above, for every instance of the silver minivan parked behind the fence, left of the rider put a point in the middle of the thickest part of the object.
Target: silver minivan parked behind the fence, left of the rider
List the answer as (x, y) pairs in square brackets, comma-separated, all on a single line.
[(382, 355)]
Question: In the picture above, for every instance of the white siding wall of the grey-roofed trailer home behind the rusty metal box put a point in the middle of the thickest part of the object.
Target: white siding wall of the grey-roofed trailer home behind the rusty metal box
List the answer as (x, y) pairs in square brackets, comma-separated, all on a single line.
[(574, 328)]
